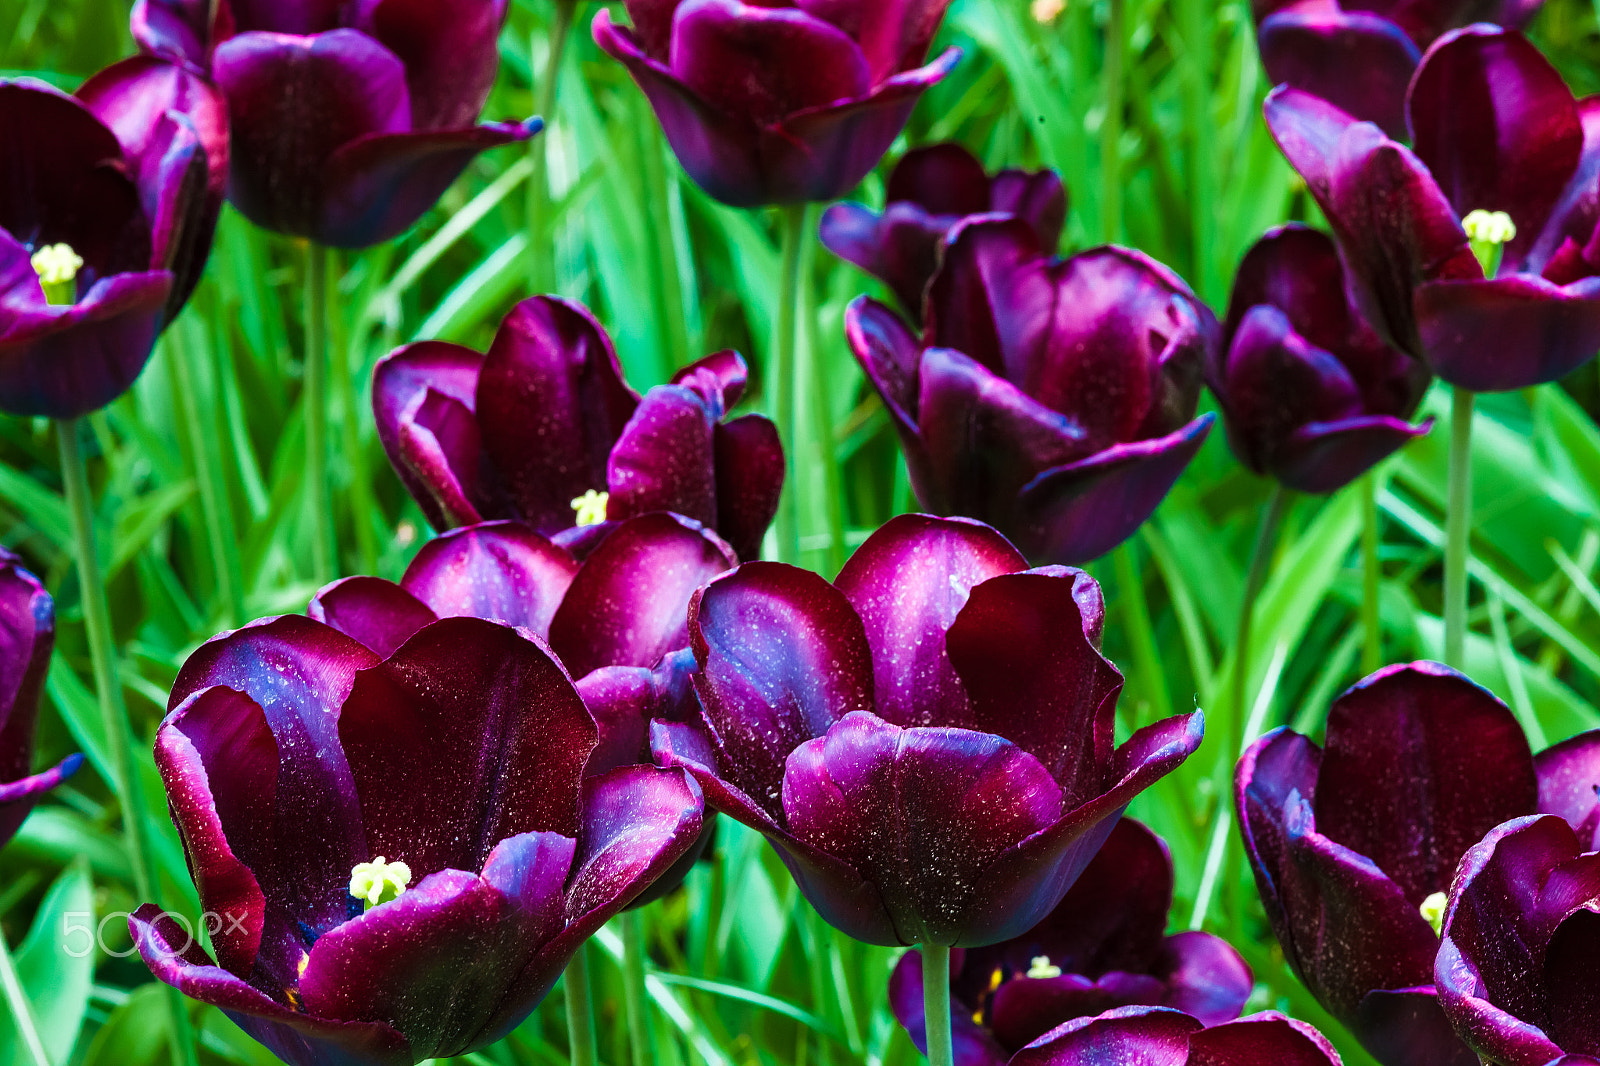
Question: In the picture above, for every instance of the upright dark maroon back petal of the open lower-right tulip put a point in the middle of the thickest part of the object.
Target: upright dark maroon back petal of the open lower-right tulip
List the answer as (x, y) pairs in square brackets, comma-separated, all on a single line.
[(1401, 788)]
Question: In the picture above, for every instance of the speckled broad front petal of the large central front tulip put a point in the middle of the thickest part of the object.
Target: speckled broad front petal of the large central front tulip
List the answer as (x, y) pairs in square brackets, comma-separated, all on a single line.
[(924, 814)]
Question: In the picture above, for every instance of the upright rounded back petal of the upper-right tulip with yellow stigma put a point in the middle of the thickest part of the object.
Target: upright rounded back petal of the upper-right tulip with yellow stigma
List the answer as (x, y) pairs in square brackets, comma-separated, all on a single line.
[(1497, 126)]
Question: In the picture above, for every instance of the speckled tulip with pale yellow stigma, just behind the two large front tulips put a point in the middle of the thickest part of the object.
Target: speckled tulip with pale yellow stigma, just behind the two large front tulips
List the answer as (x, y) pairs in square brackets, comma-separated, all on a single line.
[(545, 430)]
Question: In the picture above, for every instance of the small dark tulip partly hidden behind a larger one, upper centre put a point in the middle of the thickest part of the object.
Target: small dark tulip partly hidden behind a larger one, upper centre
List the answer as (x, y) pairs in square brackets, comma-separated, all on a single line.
[(930, 191)]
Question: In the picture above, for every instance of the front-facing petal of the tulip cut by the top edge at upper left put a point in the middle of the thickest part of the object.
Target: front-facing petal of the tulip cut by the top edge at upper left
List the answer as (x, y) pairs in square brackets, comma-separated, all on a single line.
[(294, 102)]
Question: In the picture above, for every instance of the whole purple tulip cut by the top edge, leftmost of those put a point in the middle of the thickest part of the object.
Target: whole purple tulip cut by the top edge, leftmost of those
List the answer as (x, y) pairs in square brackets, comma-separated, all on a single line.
[(348, 121)]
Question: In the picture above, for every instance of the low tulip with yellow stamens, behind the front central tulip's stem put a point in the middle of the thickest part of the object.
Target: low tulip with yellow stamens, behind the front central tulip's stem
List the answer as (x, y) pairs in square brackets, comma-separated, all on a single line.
[(1103, 947)]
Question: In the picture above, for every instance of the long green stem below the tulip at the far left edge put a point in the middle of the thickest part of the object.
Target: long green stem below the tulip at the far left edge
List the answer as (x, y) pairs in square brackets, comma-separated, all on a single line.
[(114, 715)]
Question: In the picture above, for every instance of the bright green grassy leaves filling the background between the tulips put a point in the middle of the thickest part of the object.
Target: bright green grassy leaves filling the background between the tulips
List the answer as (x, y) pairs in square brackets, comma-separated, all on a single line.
[(1151, 113)]
